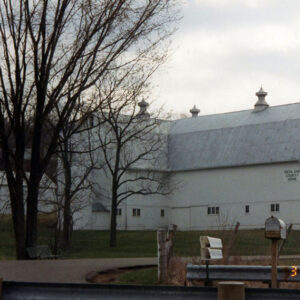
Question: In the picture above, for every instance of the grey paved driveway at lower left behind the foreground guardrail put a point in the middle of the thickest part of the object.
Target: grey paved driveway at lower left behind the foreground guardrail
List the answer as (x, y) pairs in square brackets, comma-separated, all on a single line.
[(64, 270)]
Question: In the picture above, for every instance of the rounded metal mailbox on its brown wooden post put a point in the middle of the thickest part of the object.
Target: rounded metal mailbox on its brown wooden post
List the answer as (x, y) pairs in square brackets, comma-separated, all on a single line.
[(275, 229)]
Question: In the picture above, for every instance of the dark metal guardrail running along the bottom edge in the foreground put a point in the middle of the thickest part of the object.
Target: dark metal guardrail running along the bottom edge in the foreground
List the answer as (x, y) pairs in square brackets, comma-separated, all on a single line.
[(51, 291)]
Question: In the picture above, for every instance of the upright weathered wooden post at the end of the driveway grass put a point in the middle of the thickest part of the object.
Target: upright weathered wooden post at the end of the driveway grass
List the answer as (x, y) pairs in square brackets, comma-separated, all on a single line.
[(162, 256)]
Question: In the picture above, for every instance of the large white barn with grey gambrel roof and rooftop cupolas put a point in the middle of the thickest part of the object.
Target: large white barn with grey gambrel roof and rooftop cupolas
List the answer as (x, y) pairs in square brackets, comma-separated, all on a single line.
[(241, 166)]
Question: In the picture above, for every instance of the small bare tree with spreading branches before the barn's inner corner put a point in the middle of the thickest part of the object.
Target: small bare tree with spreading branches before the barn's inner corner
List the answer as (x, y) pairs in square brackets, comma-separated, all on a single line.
[(133, 147)]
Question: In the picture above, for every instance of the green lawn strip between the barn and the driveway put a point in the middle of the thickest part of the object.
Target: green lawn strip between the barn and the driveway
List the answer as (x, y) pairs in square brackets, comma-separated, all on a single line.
[(94, 244)]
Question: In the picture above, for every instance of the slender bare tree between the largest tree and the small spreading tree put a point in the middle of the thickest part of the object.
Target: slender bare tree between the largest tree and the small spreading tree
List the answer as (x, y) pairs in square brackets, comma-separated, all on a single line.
[(77, 161)]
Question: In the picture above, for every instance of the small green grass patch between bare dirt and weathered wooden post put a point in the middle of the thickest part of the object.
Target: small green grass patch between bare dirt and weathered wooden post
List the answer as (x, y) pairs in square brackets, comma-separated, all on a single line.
[(142, 277)]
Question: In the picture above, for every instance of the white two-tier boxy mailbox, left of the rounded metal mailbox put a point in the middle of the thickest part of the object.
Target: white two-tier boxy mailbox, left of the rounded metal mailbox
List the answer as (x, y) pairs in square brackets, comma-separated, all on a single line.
[(211, 248)]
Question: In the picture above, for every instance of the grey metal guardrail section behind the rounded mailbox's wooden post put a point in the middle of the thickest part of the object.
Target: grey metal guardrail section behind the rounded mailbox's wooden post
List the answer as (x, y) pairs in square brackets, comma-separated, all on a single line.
[(249, 273)]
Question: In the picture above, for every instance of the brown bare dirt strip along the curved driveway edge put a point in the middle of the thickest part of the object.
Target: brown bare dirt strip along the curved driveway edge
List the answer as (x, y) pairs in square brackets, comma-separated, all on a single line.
[(110, 276)]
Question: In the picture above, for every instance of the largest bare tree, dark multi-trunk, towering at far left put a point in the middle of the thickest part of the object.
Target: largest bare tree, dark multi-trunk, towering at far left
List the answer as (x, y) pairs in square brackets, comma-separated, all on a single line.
[(51, 55)]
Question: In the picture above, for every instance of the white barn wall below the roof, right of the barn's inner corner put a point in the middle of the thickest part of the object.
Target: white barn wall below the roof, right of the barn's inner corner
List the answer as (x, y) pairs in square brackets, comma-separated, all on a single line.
[(231, 189)]
